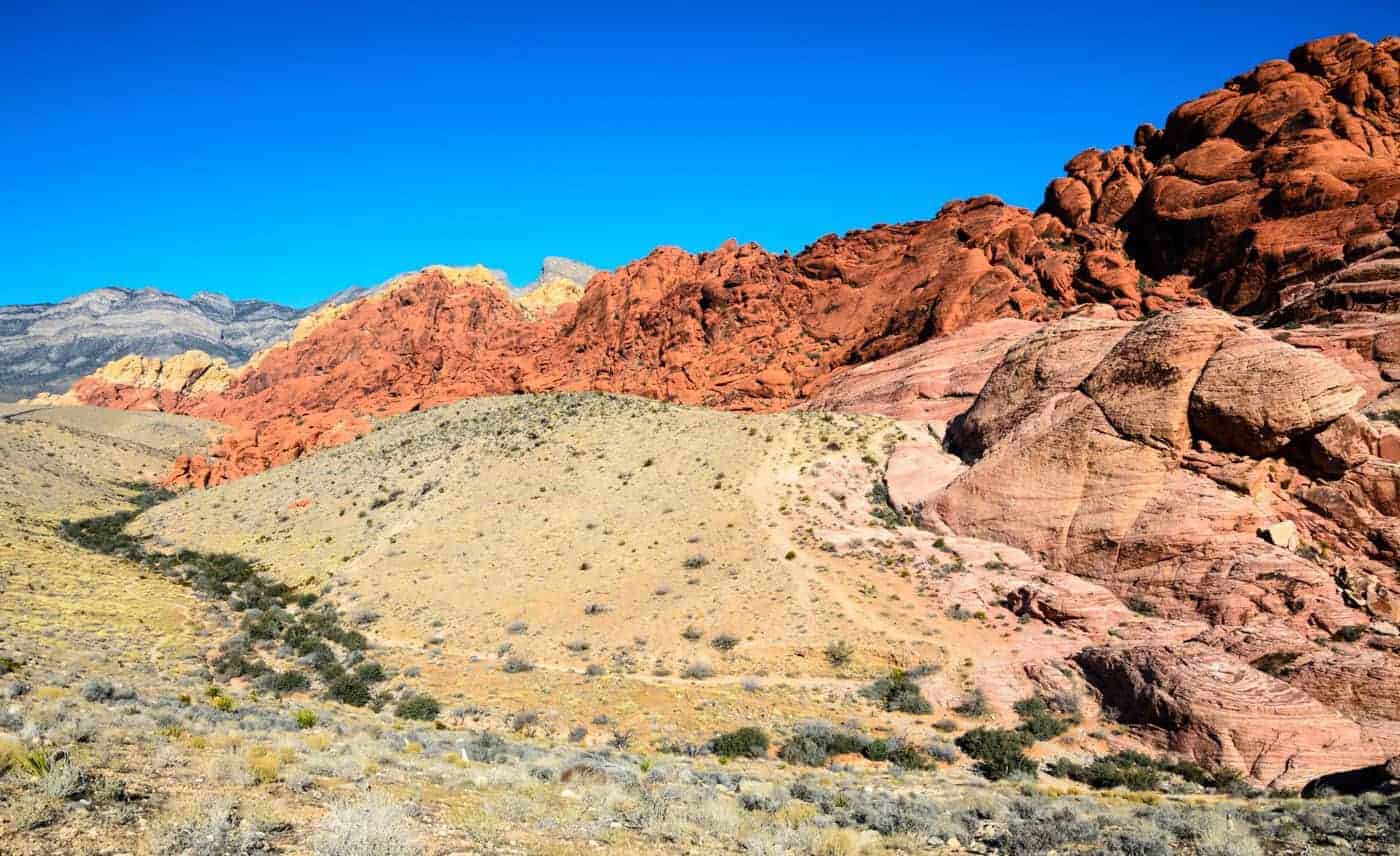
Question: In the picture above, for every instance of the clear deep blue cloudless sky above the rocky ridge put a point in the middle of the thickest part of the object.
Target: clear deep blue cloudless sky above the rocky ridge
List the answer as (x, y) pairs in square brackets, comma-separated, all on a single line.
[(285, 153)]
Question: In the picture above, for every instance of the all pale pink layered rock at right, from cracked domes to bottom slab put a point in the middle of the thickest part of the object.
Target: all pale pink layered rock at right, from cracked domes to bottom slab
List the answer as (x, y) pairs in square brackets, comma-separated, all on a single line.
[(1202, 471)]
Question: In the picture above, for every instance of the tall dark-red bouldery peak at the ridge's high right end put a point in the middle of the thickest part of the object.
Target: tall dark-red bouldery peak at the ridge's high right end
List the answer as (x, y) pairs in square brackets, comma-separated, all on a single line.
[(1286, 173)]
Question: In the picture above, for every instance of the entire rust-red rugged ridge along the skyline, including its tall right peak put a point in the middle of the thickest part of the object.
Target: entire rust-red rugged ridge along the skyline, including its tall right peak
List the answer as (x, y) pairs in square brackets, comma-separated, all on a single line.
[(1248, 195)]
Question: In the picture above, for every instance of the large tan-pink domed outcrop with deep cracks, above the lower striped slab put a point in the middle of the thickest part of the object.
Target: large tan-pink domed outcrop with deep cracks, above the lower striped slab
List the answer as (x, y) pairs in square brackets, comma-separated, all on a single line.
[(1090, 449)]
